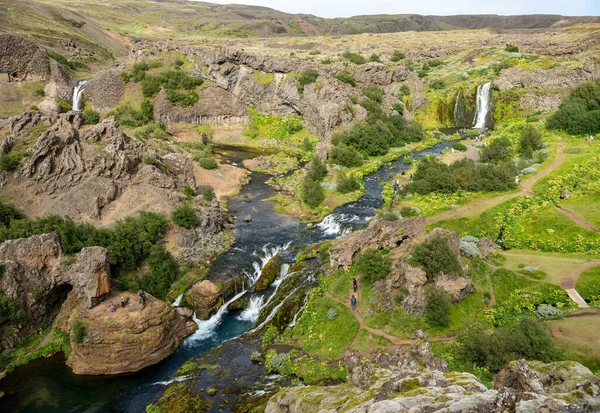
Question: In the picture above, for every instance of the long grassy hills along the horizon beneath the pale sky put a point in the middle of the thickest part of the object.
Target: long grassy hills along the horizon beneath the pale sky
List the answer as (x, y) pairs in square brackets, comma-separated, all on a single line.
[(99, 29)]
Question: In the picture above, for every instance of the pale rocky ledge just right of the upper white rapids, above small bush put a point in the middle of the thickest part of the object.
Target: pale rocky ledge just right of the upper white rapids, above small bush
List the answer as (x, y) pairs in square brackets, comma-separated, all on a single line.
[(379, 234)]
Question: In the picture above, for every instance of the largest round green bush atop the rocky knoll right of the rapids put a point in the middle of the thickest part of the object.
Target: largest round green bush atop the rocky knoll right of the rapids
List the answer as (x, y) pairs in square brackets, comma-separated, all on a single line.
[(437, 257)]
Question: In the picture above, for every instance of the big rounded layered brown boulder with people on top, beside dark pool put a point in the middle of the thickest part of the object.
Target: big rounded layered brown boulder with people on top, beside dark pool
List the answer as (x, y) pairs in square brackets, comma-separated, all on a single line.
[(128, 339)]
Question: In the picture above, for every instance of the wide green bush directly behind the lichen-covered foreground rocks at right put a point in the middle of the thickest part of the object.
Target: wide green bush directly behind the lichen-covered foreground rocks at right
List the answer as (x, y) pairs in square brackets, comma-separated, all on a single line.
[(528, 340)]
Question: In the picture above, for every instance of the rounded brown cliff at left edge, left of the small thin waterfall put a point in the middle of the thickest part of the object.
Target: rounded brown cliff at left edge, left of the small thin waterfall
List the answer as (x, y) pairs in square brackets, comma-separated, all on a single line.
[(22, 59)]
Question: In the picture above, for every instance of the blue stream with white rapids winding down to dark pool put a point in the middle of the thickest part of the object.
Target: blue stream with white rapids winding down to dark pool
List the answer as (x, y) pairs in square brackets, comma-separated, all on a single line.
[(49, 386)]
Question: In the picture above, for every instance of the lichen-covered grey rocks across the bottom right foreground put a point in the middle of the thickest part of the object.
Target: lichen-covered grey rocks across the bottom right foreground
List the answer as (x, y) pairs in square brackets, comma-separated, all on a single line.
[(412, 380)]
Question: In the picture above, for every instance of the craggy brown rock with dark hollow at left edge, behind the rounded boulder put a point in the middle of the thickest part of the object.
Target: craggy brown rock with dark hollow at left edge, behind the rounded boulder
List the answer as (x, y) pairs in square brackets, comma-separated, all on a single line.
[(38, 277)]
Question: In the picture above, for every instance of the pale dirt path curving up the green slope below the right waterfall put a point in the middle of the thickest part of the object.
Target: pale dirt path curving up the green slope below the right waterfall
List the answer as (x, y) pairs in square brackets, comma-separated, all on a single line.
[(526, 190)]
